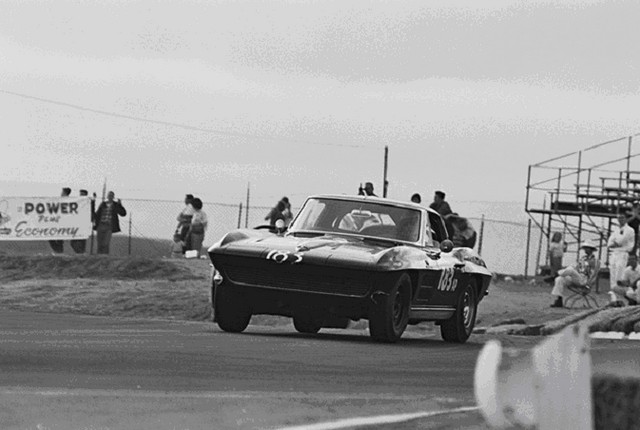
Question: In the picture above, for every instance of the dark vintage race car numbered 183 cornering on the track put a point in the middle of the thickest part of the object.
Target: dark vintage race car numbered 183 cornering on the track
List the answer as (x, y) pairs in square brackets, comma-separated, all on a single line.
[(347, 258)]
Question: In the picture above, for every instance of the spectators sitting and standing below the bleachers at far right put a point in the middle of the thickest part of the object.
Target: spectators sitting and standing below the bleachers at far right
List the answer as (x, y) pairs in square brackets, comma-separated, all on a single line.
[(624, 272)]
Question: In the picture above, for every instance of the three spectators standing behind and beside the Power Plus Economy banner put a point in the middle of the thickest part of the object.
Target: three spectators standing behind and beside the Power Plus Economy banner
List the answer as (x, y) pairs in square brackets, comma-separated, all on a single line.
[(104, 220)]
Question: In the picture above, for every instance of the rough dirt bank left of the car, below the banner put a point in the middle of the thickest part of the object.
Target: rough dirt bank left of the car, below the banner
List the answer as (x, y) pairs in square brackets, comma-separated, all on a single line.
[(107, 286)]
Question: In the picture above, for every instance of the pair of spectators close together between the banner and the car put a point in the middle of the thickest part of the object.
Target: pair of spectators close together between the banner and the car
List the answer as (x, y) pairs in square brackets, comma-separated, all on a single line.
[(191, 228)]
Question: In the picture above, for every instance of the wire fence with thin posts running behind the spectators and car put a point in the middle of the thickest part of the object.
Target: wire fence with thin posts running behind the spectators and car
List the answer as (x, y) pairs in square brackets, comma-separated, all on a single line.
[(147, 230)]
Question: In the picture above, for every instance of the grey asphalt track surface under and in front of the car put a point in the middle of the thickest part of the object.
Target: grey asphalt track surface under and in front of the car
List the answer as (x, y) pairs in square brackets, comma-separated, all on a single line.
[(78, 372)]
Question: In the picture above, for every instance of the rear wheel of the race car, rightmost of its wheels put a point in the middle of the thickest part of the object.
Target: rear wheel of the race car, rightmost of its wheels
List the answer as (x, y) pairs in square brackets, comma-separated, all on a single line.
[(458, 328)]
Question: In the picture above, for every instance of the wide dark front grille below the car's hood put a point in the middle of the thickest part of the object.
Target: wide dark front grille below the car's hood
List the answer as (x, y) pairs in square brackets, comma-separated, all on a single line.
[(307, 278)]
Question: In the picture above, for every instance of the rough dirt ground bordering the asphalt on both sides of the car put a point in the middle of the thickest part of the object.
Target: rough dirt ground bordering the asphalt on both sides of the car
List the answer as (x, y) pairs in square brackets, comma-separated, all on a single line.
[(179, 289)]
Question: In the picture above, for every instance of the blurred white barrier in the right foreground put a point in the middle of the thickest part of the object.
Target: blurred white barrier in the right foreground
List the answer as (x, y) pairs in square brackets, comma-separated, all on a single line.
[(548, 387)]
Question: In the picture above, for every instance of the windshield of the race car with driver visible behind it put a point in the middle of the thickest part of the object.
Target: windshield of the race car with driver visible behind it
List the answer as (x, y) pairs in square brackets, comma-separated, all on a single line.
[(357, 217)]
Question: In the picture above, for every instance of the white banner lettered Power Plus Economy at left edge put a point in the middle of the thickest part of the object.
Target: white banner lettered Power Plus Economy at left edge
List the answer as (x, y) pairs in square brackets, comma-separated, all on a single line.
[(45, 218)]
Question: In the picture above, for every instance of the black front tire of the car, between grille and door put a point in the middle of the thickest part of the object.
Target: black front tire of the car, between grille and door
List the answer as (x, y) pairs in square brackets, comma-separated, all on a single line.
[(390, 313)]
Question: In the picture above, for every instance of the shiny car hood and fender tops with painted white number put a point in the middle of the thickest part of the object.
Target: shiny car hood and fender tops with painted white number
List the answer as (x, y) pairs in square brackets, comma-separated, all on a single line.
[(334, 250)]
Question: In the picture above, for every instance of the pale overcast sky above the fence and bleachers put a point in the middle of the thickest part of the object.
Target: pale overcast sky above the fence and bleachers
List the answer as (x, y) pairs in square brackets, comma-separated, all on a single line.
[(301, 97)]
